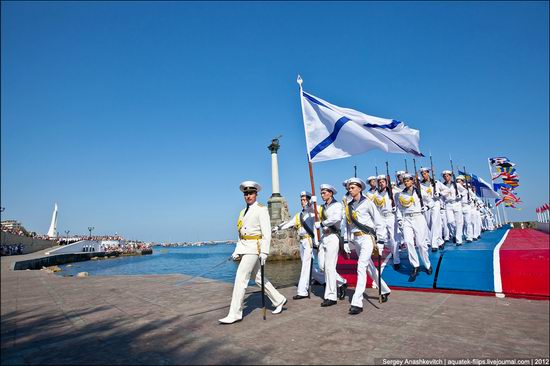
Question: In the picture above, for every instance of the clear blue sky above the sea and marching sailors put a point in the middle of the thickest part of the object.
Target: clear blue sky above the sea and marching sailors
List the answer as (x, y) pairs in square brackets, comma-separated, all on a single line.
[(143, 118)]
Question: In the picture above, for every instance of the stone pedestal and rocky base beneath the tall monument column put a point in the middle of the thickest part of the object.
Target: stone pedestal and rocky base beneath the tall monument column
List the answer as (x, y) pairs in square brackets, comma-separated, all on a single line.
[(284, 244)]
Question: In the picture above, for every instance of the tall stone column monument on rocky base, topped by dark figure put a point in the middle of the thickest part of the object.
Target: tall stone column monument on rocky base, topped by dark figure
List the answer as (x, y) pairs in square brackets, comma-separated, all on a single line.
[(284, 245)]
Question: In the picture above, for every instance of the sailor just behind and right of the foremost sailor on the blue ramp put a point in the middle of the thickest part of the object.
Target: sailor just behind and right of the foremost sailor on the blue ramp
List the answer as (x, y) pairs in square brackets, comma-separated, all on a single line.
[(433, 215)]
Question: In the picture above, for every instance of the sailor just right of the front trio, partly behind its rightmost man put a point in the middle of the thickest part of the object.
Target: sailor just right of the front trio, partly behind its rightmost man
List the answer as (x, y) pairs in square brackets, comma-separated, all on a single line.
[(383, 203)]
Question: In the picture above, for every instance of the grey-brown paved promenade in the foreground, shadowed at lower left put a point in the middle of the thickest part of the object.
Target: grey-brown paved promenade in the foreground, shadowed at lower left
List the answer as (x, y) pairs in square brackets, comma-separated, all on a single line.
[(48, 319)]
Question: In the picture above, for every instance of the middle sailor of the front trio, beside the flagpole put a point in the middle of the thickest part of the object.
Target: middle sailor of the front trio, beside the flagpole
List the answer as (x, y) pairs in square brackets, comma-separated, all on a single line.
[(330, 218)]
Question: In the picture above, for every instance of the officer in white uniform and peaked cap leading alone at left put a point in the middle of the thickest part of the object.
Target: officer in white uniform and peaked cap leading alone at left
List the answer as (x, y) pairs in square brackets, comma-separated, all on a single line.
[(254, 229)]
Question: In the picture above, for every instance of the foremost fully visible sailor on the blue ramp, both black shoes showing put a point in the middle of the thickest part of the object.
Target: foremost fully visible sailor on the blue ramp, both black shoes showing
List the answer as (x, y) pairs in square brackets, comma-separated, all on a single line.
[(413, 224)]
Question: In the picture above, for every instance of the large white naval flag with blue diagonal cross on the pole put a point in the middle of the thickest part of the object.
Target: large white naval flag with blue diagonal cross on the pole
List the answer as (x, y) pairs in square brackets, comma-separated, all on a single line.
[(334, 132)]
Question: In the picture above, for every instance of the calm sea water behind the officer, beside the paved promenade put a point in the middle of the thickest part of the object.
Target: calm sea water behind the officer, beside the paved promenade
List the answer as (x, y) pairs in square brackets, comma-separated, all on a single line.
[(191, 261)]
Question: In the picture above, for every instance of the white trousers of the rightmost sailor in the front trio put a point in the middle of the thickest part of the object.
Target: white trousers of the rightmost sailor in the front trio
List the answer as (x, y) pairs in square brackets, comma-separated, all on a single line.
[(363, 246)]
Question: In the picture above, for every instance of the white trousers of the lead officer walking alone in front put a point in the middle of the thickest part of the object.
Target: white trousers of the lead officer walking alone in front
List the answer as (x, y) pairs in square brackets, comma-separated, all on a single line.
[(250, 265)]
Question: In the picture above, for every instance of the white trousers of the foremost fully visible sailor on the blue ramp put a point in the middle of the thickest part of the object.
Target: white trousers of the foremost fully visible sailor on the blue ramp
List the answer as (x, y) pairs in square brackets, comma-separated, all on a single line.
[(414, 227)]
